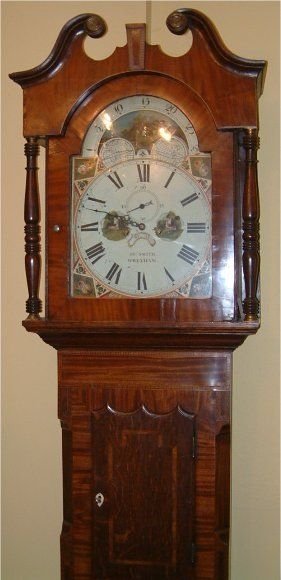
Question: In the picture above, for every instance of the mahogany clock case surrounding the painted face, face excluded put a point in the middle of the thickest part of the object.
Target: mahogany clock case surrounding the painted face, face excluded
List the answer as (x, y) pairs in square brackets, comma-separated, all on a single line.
[(144, 384)]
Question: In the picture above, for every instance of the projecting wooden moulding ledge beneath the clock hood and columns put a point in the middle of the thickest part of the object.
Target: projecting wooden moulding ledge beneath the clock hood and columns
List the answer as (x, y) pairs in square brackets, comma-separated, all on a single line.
[(210, 336)]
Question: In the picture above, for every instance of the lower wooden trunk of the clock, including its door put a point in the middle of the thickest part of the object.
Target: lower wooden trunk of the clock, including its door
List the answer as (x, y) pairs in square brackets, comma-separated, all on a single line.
[(146, 464)]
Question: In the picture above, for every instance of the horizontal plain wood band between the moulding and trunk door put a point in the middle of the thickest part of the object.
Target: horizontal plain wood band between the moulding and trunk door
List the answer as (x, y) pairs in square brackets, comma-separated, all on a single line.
[(156, 367)]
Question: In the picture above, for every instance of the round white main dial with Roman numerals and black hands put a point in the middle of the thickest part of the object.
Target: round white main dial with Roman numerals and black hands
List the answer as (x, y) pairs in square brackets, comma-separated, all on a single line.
[(142, 228)]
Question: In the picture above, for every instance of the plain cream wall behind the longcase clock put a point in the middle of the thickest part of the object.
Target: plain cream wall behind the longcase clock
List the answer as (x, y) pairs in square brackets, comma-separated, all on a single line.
[(32, 487)]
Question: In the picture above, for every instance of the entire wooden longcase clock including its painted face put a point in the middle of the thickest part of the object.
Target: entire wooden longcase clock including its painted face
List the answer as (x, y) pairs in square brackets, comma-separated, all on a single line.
[(152, 269)]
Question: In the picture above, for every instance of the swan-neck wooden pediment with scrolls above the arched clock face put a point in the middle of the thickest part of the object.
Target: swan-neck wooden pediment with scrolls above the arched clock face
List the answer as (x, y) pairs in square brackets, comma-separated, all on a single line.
[(228, 84)]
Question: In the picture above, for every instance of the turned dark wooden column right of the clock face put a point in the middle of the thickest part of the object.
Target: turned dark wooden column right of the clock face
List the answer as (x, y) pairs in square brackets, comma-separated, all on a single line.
[(251, 214)]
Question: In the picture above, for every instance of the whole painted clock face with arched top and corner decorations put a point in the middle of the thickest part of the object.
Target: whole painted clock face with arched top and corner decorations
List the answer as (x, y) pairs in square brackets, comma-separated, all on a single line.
[(141, 220)]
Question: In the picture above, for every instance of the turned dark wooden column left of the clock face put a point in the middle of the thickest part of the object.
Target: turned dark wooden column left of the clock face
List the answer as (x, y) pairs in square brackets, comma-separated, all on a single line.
[(32, 229)]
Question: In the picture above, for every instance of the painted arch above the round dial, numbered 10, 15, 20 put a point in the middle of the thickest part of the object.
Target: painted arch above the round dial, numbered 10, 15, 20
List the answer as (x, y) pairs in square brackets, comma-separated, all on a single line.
[(145, 121)]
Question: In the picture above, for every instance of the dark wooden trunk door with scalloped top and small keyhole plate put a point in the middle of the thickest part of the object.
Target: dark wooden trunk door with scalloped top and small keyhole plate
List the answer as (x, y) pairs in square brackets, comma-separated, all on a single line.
[(143, 494)]
